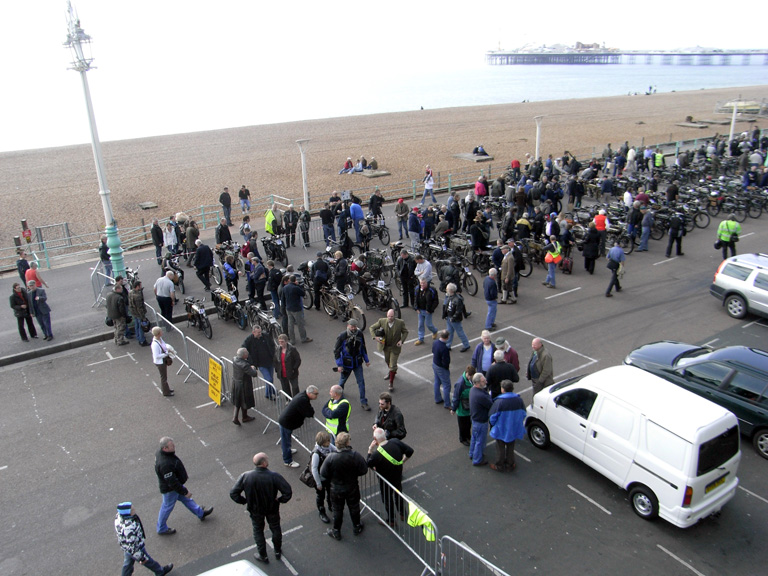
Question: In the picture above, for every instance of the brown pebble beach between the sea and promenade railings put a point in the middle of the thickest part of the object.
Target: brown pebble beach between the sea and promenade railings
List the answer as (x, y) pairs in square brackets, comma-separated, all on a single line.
[(177, 172)]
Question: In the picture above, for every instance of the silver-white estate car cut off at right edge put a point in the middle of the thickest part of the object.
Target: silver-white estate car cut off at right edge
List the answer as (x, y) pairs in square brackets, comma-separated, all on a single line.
[(741, 283)]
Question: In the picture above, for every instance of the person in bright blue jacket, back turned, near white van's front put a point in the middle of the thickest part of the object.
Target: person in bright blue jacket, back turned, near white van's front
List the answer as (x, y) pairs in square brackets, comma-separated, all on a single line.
[(507, 418)]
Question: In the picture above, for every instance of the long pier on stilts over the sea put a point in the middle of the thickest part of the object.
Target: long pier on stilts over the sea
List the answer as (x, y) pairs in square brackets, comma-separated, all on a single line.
[(667, 58)]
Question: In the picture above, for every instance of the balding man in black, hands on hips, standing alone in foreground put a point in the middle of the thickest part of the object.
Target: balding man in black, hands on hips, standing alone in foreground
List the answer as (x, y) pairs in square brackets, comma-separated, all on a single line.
[(259, 490)]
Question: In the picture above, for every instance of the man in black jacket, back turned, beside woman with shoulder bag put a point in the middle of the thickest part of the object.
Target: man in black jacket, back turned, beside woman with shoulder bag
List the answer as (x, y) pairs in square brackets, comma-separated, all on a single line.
[(341, 470)]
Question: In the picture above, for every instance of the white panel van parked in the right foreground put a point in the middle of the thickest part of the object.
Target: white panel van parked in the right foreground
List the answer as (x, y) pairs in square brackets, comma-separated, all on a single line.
[(674, 452)]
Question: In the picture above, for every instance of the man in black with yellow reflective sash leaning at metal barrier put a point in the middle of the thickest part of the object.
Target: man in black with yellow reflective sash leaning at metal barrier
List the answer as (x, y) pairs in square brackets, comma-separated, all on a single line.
[(387, 456)]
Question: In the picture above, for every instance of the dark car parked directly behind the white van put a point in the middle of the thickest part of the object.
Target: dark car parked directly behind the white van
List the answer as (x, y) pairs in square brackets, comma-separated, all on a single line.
[(735, 377)]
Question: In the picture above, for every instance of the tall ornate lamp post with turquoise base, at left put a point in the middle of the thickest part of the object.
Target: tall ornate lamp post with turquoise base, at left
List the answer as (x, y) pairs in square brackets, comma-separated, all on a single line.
[(76, 40)]
